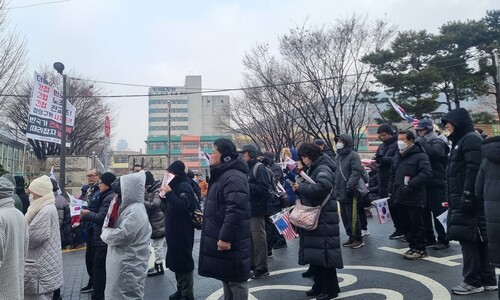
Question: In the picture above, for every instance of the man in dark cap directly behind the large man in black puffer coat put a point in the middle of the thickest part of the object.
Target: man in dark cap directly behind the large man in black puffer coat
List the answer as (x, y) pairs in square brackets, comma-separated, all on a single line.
[(260, 207)]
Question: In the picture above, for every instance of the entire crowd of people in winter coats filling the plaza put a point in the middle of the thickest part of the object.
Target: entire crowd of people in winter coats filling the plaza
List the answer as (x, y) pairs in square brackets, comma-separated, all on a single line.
[(128, 220)]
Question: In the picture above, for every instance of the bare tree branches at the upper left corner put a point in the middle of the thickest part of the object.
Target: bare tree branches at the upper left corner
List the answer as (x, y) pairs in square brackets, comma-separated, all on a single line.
[(12, 57)]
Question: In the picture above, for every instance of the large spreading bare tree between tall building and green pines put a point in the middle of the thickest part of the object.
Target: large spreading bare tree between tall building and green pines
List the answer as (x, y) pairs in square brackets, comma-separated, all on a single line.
[(317, 83)]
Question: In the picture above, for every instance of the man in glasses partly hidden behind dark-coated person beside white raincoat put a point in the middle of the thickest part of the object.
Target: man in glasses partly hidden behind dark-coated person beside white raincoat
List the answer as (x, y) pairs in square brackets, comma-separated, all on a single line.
[(93, 177)]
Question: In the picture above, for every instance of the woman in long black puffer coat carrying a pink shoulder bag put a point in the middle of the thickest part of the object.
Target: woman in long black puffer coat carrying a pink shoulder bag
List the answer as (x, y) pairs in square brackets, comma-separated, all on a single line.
[(320, 247)]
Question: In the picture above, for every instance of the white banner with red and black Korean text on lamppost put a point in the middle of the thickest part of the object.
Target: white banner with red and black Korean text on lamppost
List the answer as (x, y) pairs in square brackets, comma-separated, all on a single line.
[(45, 117)]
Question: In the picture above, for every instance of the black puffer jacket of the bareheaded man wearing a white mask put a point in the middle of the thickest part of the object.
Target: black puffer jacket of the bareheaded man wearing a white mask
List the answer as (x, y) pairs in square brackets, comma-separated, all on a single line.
[(415, 166)]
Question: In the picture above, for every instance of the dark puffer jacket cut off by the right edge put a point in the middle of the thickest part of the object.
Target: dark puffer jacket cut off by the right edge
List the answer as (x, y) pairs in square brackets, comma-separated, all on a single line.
[(488, 188)]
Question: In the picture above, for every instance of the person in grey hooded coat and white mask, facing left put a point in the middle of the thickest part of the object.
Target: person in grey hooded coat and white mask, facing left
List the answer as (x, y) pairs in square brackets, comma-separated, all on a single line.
[(349, 172)]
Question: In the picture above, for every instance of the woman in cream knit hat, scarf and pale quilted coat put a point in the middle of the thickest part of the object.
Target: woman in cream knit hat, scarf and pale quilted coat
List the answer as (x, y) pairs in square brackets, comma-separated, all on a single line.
[(43, 268)]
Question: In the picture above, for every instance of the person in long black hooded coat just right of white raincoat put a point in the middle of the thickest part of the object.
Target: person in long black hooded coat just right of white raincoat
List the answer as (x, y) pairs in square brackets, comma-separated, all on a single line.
[(180, 203)]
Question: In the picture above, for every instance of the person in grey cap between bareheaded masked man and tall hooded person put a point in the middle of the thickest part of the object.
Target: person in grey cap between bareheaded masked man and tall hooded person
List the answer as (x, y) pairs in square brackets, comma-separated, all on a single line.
[(437, 150)]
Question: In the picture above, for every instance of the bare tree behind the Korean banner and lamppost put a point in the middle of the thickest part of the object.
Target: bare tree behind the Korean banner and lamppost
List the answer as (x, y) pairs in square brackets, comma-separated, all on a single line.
[(88, 132)]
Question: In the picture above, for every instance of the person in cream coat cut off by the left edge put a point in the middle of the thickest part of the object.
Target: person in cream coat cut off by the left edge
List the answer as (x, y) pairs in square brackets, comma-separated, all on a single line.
[(13, 244)]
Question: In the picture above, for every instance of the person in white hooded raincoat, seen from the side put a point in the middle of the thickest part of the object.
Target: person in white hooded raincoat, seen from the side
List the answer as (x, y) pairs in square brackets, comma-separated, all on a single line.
[(127, 233)]
